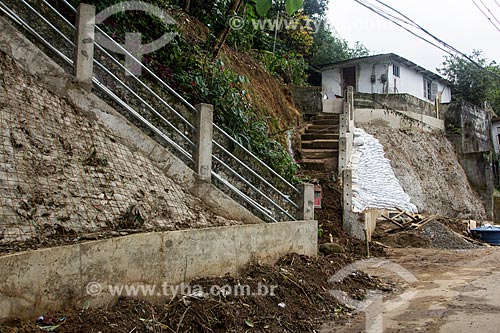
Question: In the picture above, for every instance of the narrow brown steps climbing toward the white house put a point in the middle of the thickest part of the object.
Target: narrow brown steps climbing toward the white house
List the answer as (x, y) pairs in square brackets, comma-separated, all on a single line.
[(320, 143)]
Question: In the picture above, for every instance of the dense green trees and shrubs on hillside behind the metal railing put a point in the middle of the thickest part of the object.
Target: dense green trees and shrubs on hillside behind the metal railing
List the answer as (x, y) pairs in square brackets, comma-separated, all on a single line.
[(195, 63)]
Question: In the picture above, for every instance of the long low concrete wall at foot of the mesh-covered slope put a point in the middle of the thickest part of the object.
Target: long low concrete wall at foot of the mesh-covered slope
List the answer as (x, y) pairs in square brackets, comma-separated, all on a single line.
[(35, 282)]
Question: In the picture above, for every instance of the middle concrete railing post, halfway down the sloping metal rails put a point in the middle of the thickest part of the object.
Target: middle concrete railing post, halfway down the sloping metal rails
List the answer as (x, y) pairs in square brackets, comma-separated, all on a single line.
[(202, 154)]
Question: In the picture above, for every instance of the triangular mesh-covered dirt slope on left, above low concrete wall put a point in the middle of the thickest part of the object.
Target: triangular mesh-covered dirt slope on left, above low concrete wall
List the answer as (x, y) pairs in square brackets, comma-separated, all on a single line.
[(63, 175)]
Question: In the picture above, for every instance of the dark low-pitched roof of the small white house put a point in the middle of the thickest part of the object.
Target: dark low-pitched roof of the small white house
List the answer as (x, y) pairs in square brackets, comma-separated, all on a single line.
[(384, 57)]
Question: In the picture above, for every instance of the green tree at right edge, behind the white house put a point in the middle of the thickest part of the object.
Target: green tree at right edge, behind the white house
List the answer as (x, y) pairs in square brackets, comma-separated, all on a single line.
[(472, 84)]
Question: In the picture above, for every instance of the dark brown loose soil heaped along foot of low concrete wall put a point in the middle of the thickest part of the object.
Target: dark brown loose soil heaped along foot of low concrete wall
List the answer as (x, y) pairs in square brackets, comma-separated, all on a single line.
[(301, 303)]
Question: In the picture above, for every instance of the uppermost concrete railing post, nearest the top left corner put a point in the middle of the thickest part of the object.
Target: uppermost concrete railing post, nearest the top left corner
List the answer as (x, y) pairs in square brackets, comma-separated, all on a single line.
[(84, 51)]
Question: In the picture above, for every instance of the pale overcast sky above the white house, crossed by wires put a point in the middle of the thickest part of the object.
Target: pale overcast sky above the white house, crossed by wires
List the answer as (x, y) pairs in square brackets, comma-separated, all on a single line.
[(457, 22)]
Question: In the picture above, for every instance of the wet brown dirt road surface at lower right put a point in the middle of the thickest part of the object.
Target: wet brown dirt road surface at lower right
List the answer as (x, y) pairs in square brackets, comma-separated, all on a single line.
[(455, 292)]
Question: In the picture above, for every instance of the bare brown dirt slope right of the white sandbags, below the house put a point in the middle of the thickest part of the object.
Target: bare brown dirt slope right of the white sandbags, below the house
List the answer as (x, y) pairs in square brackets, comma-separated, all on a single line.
[(428, 170)]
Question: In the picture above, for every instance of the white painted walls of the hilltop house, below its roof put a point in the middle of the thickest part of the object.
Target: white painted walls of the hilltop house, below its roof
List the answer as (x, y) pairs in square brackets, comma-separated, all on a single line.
[(409, 81)]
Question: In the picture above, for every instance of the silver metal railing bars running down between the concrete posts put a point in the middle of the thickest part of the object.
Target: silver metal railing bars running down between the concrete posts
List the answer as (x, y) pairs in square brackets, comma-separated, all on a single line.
[(265, 212)]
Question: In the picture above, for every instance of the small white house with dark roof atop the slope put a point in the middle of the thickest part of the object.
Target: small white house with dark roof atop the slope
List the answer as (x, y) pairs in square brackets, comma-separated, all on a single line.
[(383, 74)]
